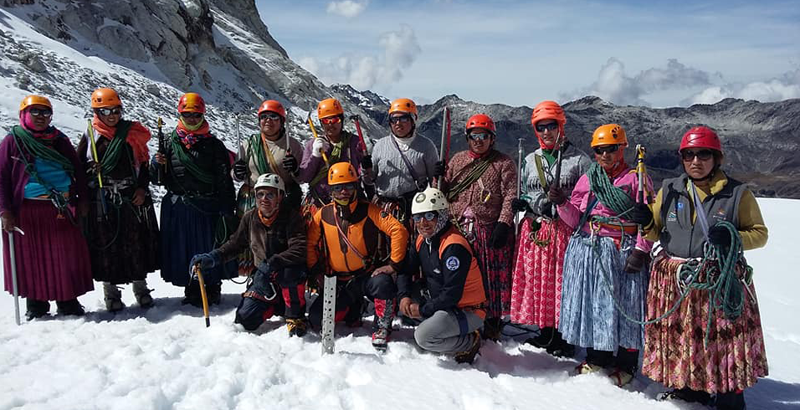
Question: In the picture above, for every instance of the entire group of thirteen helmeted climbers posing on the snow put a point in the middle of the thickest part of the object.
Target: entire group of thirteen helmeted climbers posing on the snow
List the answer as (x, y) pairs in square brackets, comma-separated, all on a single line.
[(446, 257)]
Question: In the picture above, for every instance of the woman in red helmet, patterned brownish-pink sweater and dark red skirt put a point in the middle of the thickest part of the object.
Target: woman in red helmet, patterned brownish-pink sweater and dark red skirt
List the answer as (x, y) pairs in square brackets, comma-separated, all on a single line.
[(480, 184)]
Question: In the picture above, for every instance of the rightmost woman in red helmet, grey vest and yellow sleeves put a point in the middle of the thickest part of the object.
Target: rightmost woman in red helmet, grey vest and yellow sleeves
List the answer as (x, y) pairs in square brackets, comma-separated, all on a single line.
[(685, 351)]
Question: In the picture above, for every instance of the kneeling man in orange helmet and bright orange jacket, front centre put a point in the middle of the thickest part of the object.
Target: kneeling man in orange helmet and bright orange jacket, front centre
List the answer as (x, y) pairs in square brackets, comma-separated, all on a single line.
[(346, 232)]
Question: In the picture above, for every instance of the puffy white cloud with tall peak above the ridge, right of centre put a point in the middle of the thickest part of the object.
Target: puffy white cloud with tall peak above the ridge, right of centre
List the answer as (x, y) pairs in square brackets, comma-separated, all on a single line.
[(615, 86)]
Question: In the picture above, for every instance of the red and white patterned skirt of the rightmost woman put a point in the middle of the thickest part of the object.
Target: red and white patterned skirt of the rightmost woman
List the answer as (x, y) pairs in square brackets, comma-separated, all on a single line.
[(674, 352)]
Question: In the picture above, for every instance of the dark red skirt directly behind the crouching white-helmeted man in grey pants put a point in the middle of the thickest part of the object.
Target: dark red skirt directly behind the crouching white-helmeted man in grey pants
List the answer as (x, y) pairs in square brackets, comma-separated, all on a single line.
[(495, 265)]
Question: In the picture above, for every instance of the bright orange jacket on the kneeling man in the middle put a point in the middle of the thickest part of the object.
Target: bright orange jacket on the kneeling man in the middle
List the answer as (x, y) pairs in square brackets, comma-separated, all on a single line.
[(362, 226)]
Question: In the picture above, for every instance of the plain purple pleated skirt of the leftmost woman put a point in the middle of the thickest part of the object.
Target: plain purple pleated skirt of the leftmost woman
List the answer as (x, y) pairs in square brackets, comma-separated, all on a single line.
[(52, 257)]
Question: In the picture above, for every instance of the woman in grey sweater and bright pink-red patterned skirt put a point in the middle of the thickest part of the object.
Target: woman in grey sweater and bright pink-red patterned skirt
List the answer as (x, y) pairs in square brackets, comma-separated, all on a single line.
[(536, 286)]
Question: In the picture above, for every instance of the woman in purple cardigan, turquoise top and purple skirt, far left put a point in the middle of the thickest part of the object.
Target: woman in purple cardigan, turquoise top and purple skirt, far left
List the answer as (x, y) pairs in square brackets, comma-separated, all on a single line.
[(42, 181)]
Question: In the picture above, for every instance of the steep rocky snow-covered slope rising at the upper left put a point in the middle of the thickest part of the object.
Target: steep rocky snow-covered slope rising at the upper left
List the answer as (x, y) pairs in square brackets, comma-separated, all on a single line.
[(151, 52)]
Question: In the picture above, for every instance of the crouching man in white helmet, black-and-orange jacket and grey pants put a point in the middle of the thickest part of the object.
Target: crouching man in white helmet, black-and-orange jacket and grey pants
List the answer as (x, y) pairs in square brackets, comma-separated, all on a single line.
[(452, 308)]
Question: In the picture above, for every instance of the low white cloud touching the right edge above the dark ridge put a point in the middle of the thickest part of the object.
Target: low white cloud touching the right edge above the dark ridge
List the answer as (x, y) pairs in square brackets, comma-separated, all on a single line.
[(781, 88)]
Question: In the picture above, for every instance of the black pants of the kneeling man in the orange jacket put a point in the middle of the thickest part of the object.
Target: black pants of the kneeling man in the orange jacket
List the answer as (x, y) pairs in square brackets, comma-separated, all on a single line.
[(350, 297)]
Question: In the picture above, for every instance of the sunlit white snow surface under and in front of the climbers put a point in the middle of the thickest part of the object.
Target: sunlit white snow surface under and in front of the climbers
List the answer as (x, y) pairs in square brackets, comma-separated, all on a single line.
[(165, 358)]
